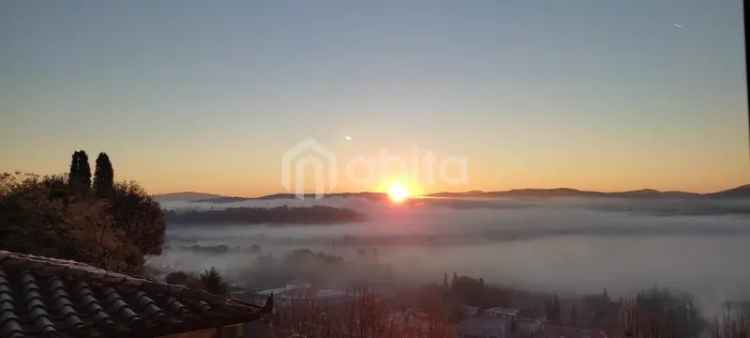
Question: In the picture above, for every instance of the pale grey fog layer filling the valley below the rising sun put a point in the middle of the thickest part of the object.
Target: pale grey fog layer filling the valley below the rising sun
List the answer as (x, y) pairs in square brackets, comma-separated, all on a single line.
[(560, 245)]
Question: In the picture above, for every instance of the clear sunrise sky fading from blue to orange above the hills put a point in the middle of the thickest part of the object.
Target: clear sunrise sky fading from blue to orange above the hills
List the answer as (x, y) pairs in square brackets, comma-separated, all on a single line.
[(209, 96)]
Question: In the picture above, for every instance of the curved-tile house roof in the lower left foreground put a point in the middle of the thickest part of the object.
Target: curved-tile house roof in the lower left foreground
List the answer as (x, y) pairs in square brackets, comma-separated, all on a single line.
[(47, 297)]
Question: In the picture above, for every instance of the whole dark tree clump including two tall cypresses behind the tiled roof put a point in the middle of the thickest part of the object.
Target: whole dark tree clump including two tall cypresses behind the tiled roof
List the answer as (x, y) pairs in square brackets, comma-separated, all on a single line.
[(112, 225)]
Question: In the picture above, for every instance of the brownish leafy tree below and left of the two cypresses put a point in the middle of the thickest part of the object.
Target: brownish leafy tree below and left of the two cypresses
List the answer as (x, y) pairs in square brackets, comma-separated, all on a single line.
[(40, 218)]
